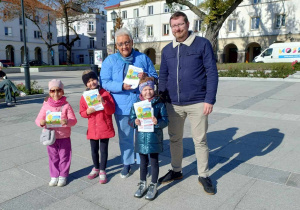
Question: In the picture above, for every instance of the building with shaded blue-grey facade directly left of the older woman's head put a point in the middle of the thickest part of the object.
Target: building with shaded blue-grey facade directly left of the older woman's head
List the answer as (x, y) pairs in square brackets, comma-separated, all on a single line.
[(91, 29)]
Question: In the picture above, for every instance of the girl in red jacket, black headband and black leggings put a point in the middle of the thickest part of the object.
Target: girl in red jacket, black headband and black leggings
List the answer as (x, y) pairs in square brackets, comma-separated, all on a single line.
[(100, 126)]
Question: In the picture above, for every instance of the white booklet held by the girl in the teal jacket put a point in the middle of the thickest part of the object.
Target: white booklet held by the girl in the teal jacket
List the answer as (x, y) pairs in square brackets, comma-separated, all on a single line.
[(144, 113)]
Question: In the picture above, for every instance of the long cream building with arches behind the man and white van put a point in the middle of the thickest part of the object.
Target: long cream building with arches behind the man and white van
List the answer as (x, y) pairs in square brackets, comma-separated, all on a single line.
[(254, 25)]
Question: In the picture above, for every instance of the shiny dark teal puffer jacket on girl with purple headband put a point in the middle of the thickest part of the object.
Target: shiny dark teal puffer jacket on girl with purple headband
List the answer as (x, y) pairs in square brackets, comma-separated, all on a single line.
[(151, 142)]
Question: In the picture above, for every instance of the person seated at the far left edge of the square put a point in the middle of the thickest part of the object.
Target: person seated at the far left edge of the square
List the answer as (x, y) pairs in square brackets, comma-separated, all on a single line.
[(8, 87)]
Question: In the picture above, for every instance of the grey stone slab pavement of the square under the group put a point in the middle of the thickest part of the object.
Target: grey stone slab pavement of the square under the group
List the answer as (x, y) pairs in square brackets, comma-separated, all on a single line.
[(254, 146)]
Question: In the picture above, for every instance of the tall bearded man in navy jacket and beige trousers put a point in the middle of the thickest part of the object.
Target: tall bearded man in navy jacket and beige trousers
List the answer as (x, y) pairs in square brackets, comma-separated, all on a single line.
[(188, 79)]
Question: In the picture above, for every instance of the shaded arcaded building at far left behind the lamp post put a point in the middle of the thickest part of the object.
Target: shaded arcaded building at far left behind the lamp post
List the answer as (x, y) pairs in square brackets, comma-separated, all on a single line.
[(12, 45)]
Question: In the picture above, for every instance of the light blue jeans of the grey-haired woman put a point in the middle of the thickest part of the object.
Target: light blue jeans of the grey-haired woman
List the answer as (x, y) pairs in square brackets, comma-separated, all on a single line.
[(126, 140)]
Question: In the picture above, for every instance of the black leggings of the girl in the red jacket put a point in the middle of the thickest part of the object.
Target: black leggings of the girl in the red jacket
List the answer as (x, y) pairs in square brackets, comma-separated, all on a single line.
[(103, 151)]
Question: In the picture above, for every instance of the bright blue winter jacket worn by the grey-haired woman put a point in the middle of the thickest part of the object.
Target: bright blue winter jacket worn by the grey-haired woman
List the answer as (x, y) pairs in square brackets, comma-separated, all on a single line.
[(111, 77)]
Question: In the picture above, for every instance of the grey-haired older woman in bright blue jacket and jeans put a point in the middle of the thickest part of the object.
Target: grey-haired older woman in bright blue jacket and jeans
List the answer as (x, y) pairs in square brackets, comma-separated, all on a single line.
[(113, 72)]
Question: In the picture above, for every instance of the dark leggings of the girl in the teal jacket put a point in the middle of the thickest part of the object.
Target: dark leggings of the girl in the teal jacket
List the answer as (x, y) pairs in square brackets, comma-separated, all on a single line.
[(154, 166)]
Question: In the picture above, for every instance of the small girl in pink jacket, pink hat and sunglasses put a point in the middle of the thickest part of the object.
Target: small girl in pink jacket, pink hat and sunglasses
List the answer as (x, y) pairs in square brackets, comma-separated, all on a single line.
[(59, 152)]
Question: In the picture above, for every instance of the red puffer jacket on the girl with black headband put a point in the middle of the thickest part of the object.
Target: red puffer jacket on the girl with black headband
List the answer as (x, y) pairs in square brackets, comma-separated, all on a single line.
[(100, 125)]
